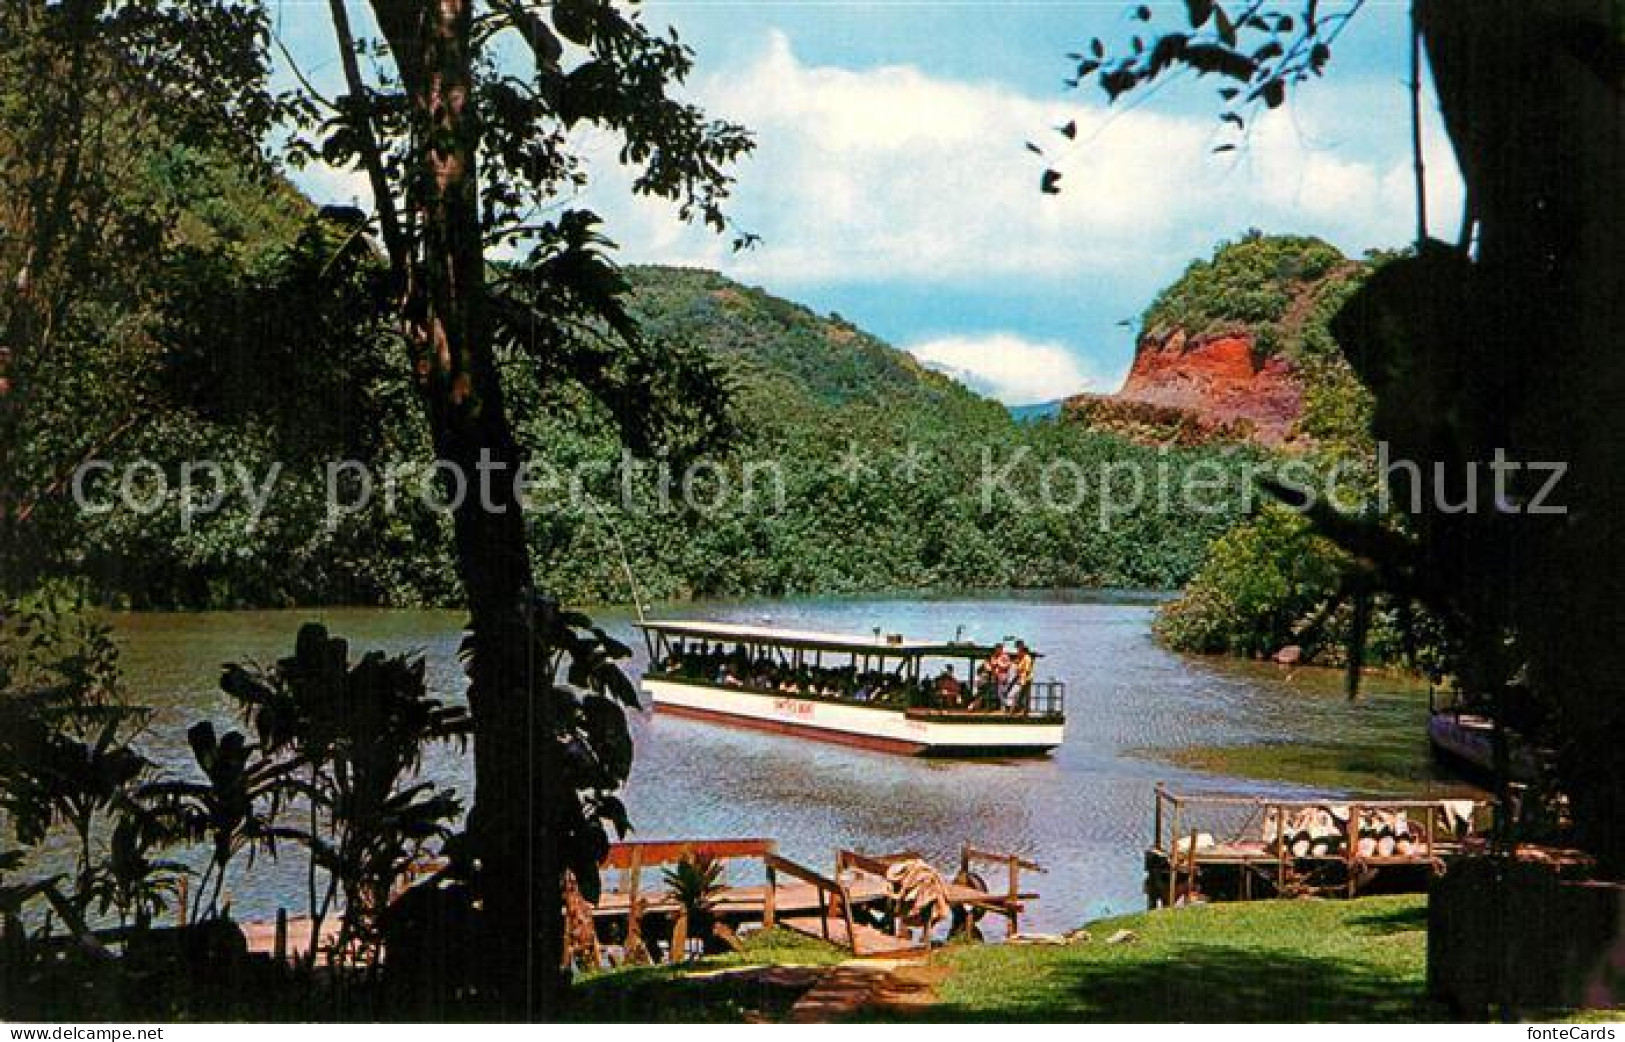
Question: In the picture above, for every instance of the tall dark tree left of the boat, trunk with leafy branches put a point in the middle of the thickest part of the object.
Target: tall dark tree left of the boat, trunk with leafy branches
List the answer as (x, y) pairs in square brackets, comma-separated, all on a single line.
[(461, 149)]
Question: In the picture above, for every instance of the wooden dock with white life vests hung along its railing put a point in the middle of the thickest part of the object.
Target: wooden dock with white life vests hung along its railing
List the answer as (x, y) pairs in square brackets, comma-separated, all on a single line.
[(1241, 848)]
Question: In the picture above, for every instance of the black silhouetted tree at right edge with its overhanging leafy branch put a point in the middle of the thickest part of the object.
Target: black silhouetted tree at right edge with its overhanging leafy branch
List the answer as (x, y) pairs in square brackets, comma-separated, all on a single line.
[(1502, 342)]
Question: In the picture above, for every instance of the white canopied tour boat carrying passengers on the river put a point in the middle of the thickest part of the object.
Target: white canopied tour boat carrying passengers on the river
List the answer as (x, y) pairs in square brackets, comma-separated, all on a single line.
[(872, 692)]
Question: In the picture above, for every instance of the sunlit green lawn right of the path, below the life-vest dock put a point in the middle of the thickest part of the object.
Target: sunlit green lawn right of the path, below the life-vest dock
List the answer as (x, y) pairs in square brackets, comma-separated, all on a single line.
[(1265, 962)]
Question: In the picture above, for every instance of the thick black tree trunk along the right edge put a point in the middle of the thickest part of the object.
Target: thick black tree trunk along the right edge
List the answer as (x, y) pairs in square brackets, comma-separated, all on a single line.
[(1532, 95)]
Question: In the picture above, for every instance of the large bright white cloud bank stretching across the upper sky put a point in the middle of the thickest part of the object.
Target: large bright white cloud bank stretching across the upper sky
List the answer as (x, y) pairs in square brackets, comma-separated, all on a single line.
[(891, 175)]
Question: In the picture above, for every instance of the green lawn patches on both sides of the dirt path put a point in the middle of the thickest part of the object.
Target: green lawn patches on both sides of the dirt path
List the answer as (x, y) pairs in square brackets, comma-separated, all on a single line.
[(1265, 962)]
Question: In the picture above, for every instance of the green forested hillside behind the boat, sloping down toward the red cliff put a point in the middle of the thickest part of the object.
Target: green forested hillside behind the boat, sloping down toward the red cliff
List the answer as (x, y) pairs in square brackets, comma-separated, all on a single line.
[(813, 393)]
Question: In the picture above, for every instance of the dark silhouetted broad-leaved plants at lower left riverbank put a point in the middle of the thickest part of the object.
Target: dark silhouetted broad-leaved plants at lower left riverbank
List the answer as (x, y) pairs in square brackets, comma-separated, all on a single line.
[(331, 771)]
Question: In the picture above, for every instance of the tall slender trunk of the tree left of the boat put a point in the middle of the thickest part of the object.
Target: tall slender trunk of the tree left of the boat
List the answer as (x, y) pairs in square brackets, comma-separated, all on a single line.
[(518, 783)]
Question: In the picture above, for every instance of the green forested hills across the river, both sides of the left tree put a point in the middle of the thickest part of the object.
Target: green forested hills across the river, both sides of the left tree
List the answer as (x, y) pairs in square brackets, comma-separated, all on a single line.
[(240, 336)]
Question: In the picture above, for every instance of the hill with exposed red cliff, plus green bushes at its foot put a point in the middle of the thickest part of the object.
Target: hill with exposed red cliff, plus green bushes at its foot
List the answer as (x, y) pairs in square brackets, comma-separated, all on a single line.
[(1241, 349)]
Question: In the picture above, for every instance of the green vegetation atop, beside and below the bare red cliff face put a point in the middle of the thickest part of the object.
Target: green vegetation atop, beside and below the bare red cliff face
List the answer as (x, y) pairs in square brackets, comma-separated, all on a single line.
[(1272, 581)]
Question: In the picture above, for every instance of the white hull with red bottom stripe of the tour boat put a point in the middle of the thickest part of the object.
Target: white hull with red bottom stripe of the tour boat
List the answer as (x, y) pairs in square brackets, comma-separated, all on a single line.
[(893, 731)]
